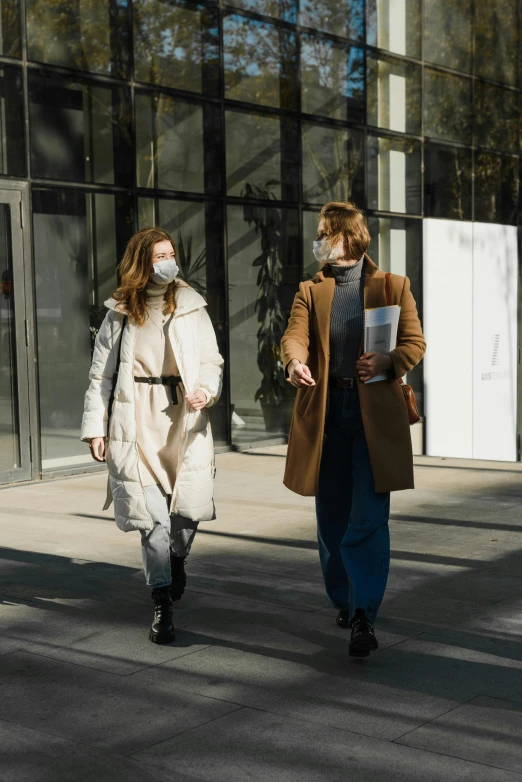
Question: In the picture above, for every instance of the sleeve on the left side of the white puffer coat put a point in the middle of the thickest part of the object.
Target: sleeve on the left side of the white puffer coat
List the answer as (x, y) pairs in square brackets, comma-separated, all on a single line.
[(94, 422)]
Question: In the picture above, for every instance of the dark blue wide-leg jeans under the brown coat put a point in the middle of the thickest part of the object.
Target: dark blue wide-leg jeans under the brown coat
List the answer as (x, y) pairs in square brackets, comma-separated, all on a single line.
[(352, 518)]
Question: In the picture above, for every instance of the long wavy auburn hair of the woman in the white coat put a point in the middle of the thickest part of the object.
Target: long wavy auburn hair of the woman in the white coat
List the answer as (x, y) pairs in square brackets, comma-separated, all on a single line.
[(134, 270)]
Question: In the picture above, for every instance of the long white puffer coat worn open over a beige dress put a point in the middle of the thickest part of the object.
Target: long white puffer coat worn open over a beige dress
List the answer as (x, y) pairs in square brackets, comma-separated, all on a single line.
[(200, 366)]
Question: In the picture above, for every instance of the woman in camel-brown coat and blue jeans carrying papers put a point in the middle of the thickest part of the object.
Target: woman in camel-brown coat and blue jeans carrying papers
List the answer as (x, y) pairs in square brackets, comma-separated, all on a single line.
[(350, 442)]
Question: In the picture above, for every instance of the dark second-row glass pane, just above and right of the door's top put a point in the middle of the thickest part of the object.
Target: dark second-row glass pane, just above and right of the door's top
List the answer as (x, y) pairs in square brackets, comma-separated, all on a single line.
[(79, 131)]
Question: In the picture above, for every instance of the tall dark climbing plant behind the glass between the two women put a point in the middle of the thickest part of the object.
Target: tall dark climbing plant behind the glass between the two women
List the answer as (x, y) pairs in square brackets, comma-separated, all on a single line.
[(267, 223)]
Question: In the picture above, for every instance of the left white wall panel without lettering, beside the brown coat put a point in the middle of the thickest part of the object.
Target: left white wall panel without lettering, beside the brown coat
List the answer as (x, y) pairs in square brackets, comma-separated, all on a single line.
[(448, 318)]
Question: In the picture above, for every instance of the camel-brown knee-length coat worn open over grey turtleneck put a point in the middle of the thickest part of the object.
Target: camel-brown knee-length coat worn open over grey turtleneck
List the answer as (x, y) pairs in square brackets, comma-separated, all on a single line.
[(383, 408)]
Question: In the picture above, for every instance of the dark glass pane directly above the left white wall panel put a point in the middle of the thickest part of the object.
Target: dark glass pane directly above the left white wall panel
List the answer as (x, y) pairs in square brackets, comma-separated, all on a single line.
[(447, 182)]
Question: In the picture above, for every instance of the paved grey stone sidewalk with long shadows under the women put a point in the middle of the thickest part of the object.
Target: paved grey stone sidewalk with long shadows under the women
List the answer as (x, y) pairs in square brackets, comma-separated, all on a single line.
[(259, 685)]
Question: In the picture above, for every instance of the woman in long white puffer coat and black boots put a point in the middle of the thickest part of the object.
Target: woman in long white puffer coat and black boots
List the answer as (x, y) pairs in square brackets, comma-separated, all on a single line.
[(156, 368)]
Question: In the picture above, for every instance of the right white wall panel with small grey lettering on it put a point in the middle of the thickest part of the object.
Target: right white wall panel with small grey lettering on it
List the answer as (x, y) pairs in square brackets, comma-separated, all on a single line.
[(494, 341)]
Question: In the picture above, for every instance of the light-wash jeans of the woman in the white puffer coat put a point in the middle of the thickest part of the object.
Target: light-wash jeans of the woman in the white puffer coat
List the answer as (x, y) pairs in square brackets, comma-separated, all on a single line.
[(169, 534)]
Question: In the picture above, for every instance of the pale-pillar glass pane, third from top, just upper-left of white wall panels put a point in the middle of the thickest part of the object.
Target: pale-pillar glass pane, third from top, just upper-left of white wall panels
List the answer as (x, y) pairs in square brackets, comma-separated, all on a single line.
[(394, 175)]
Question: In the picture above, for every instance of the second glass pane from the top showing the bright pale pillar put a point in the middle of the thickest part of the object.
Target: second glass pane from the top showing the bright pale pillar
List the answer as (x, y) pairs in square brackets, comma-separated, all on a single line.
[(394, 95)]
